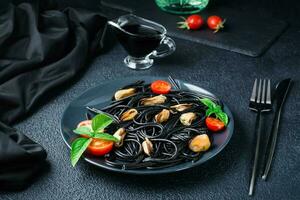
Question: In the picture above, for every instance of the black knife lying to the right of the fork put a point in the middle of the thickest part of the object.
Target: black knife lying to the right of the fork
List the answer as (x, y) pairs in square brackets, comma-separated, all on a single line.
[(281, 92)]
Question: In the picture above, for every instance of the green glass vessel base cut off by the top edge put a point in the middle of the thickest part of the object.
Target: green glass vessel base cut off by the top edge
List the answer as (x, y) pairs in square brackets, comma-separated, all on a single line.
[(182, 6)]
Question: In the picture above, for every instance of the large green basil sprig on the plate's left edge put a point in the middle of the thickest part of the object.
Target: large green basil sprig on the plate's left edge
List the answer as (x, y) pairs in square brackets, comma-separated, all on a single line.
[(99, 123)]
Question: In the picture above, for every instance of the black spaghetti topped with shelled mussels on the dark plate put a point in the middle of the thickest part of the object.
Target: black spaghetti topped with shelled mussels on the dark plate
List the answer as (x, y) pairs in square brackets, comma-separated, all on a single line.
[(159, 128)]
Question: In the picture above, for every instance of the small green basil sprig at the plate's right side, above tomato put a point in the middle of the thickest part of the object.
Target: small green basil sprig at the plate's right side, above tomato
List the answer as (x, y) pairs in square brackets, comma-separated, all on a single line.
[(213, 108)]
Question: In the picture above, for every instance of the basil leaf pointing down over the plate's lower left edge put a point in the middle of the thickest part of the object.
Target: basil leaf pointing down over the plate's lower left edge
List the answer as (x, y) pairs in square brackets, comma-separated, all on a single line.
[(78, 147)]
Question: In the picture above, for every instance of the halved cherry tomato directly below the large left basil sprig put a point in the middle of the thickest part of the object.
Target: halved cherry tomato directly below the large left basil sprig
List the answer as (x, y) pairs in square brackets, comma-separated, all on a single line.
[(100, 147)]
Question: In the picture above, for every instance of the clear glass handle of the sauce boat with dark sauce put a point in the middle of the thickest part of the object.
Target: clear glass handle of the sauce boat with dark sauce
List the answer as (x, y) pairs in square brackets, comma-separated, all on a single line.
[(167, 47)]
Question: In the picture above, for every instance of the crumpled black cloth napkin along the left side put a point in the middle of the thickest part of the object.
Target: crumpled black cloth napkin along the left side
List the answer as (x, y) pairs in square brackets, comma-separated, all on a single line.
[(41, 48)]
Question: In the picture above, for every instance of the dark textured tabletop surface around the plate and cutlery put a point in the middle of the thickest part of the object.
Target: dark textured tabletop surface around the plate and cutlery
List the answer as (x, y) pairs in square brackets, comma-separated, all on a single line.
[(228, 75)]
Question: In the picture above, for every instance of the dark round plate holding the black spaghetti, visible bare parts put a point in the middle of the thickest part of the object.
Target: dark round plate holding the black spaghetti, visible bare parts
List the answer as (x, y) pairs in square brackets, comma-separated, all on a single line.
[(101, 95)]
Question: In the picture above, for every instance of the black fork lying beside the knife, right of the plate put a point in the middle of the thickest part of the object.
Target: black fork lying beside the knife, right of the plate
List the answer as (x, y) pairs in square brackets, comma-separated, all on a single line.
[(260, 101)]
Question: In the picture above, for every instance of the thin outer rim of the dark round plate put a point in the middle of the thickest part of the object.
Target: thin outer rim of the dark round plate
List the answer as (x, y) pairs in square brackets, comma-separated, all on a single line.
[(149, 171)]
